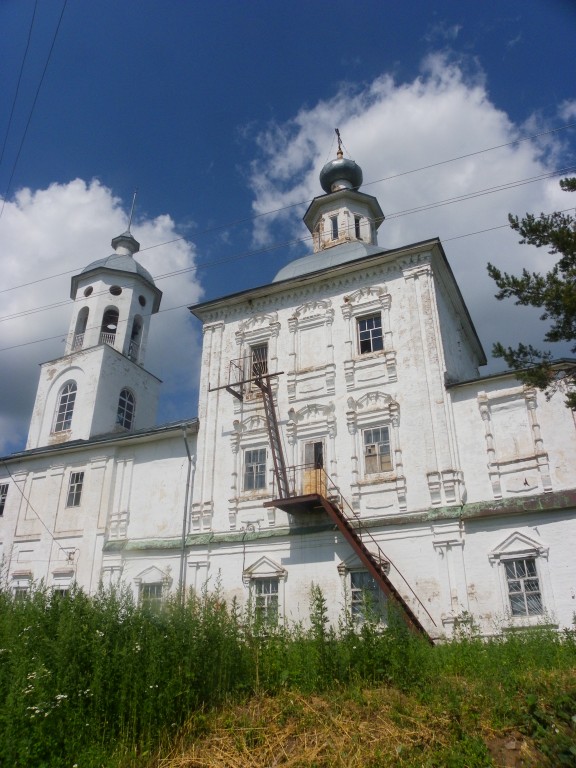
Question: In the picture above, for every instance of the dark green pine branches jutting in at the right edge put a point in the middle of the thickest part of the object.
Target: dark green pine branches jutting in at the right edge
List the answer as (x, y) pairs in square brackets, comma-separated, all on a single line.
[(554, 292)]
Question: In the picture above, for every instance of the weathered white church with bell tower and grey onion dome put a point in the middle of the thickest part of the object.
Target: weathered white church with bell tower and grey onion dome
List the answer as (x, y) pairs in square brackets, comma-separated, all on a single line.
[(345, 439)]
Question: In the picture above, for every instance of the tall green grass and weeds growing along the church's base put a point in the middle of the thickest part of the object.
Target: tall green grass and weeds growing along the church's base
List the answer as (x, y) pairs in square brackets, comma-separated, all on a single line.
[(99, 681)]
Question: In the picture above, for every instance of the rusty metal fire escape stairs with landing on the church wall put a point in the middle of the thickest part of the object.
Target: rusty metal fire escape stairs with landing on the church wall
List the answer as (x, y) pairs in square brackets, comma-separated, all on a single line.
[(320, 493)]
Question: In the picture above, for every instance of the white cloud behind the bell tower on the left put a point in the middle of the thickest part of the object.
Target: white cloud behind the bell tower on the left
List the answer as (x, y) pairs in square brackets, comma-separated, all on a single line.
[(61, 229)]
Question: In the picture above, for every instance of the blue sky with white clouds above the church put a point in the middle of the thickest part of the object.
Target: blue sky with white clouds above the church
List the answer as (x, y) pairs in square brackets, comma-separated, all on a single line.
[(219, 111)]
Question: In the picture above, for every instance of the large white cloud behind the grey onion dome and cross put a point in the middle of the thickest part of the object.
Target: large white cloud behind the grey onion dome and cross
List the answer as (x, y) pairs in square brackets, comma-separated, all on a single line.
[(393, 128)]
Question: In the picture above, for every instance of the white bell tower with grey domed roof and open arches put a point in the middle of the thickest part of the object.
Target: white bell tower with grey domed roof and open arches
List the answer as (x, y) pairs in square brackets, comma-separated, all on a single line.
[(100, 385)]
